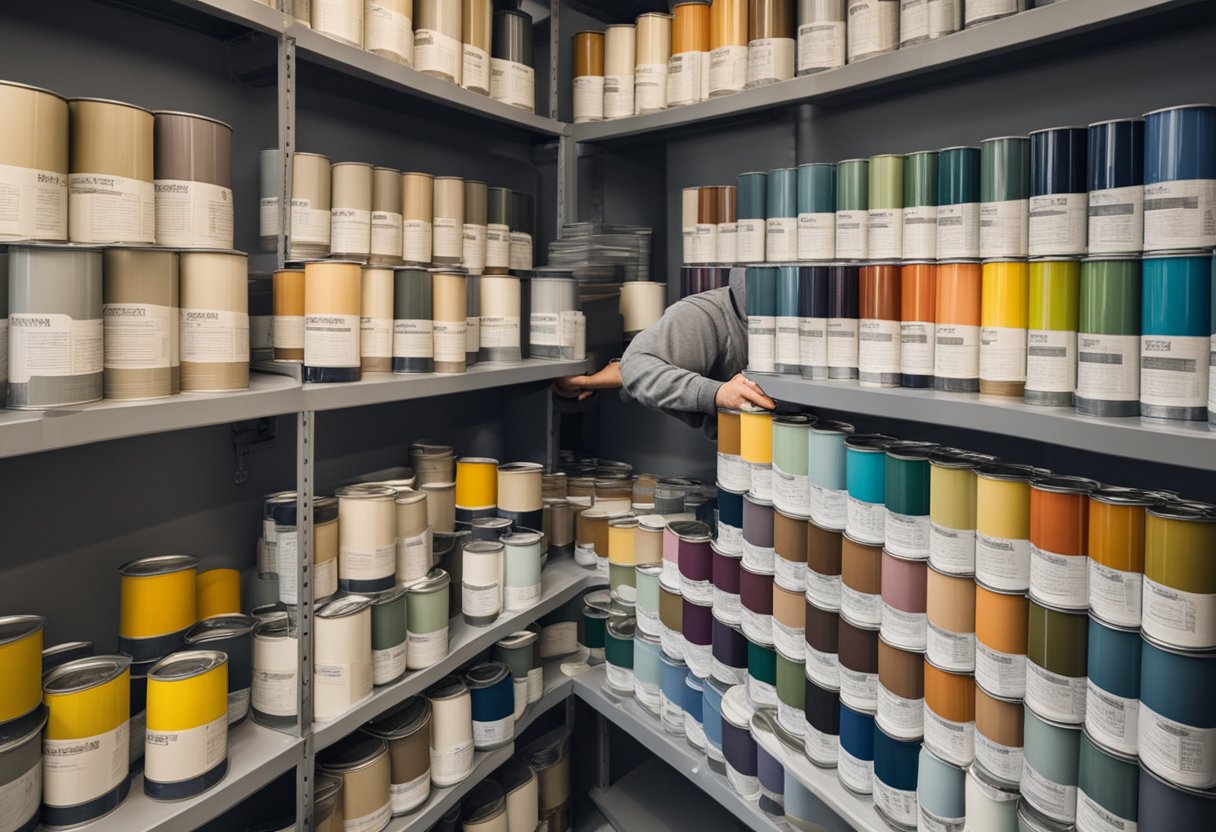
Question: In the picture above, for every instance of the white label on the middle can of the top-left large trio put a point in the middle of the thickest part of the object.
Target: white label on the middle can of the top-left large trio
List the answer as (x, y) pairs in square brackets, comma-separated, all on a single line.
[(106, 209)]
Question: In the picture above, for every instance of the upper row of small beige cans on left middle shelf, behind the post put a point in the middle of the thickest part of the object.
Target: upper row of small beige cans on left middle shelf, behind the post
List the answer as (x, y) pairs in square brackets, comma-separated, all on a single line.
[(384, 217)]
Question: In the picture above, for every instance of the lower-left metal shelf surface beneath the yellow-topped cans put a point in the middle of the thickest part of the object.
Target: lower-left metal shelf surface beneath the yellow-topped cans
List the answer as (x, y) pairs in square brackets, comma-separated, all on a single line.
[(257, 756)]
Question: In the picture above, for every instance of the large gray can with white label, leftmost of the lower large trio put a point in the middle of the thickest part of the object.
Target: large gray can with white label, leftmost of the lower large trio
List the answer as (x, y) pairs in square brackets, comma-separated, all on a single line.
[(55, 327)]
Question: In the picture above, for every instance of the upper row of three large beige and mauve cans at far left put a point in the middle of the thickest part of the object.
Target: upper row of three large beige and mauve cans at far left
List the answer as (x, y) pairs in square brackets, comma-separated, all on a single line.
[(99, 172)]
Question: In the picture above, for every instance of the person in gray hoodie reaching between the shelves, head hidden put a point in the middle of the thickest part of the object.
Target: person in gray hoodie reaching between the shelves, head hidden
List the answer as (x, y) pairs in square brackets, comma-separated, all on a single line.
[(689, 363)]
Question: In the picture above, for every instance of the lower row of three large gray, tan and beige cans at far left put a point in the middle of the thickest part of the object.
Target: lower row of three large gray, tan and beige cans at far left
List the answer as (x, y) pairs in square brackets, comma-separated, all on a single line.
[(123, 324)]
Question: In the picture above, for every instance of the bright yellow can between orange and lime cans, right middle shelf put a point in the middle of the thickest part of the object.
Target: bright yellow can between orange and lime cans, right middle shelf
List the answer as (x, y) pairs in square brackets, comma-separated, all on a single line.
[(1004, 319)]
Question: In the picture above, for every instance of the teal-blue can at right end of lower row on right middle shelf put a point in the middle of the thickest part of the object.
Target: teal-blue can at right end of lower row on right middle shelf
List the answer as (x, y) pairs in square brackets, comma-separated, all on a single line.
[(1175, 335)]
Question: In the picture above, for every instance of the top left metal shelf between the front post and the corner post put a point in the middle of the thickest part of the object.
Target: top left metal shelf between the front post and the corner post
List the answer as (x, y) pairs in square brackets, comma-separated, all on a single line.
[(363, 66)]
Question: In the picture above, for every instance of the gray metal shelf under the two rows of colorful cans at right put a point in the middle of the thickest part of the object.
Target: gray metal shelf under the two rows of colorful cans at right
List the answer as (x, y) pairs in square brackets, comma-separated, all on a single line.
[(1187, 445)]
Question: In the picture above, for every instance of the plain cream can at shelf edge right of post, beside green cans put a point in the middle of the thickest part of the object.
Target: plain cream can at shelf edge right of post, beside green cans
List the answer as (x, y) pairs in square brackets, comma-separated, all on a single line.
[(342, 661)]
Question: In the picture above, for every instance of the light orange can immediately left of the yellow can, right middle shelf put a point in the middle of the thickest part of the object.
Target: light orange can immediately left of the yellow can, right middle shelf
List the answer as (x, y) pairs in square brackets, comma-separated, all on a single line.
[(956, 362)]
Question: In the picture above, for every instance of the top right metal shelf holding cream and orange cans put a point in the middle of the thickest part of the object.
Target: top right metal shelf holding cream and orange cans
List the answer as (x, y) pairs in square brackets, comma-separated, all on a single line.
[(1000, 41)]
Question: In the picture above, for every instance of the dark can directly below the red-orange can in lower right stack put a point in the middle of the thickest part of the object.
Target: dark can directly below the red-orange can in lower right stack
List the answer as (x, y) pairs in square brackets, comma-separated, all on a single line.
[(1056, 665)]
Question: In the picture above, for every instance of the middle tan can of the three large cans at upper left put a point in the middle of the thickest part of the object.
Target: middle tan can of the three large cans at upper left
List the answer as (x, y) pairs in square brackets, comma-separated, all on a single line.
[(111, 192)]
